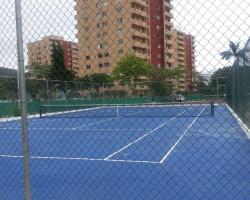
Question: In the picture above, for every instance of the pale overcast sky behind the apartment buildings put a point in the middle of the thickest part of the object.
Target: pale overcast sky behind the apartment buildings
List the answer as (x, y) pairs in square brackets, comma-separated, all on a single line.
[(213, 23)]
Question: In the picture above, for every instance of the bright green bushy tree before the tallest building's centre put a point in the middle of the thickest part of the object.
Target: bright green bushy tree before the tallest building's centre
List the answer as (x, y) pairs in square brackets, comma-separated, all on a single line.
[(132, 69)]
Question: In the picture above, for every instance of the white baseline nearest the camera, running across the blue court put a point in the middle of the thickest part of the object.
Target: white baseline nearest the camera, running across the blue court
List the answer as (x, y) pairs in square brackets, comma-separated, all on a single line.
[(81, 159)]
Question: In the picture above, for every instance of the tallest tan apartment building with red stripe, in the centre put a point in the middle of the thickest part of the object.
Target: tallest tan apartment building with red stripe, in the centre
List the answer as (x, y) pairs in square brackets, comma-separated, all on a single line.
[(108, 29)]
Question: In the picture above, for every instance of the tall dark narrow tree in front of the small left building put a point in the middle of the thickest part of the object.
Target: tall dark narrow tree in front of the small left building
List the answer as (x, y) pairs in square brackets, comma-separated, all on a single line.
[(58, 69)]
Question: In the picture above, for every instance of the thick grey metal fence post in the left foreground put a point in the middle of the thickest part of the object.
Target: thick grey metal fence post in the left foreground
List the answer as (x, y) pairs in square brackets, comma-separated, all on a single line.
[(23, 100)]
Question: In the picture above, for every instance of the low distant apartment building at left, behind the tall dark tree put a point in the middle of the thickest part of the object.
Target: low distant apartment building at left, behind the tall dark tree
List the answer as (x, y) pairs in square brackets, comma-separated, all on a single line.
[(40, 51)]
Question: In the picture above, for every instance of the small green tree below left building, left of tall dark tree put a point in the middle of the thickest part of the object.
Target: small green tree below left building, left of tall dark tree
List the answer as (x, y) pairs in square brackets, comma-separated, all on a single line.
[(38, 71)]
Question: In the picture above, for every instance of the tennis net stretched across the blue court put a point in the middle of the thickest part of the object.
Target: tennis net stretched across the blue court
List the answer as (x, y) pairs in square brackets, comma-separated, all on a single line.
[(183, 109)]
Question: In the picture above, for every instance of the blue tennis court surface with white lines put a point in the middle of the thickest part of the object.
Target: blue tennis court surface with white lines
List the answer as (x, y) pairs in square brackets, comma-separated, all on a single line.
[(171, 158)]
